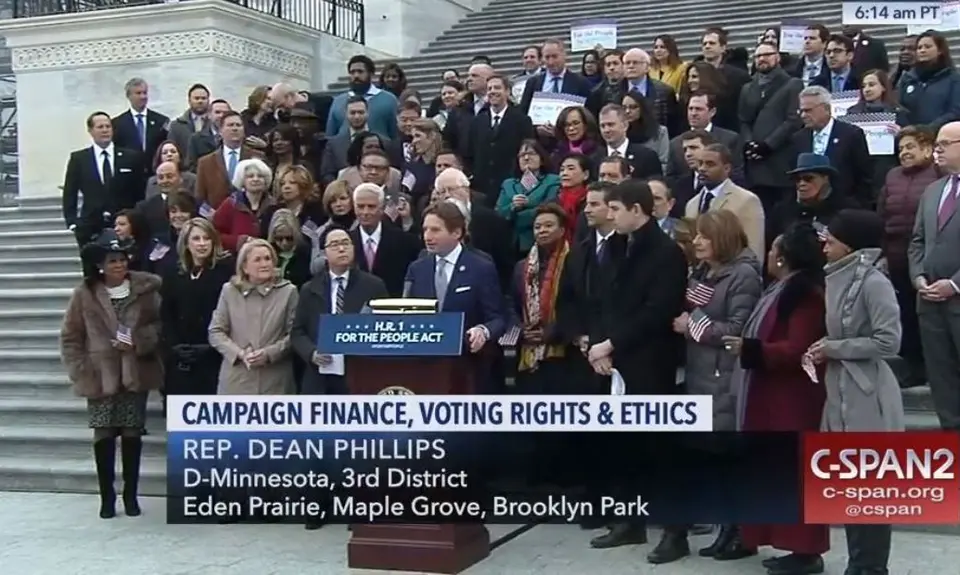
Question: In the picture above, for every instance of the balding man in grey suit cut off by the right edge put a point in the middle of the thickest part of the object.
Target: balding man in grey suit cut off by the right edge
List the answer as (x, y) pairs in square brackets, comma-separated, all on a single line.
[(934, 259)]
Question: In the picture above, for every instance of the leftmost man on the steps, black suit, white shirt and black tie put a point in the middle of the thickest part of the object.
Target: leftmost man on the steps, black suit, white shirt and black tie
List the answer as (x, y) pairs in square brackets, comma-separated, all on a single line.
[(109, 178)]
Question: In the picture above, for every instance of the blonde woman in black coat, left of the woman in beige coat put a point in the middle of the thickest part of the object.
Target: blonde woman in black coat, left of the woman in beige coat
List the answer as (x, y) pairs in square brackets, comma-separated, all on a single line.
[(189, 296)]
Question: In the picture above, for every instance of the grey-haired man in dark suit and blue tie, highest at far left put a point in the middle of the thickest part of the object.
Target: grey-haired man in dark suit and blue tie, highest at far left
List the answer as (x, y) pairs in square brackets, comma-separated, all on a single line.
[(139, 128)]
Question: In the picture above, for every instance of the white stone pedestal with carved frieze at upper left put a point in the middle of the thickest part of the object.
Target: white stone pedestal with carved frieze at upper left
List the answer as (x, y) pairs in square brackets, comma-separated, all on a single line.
[(68, 66)]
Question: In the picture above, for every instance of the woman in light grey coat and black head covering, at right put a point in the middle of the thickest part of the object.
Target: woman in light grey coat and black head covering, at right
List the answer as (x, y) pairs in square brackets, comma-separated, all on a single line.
[(863, 328)]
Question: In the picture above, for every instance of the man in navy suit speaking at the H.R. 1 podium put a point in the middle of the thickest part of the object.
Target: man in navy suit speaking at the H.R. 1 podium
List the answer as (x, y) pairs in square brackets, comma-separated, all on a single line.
[(459, 279)]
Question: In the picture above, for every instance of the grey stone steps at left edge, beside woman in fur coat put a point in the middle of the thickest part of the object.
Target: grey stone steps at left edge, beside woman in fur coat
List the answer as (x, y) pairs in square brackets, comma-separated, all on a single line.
[(45, 444)]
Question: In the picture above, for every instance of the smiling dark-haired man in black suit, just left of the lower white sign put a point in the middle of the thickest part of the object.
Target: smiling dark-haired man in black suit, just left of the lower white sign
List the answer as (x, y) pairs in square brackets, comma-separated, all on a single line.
[(494, 140)]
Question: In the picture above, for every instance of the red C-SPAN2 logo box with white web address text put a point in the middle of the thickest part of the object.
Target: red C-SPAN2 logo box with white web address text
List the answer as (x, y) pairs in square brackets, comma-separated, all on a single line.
[(882, 478)]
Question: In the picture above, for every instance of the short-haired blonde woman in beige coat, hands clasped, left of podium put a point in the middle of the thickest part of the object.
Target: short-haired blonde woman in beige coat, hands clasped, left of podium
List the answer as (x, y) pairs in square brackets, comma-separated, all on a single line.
[(251, 326)]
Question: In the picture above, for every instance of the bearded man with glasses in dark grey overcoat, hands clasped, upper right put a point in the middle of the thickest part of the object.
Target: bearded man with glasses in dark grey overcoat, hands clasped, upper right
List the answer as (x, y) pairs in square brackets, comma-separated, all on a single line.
[(768, 120)]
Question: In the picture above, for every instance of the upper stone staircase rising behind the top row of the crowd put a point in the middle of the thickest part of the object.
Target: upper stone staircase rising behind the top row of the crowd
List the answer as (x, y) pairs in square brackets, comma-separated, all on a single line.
[(505, 27)]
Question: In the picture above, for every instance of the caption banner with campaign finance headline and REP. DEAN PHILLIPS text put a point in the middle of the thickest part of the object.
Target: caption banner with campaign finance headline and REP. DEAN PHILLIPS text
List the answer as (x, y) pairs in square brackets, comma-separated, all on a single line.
[(229, 464)]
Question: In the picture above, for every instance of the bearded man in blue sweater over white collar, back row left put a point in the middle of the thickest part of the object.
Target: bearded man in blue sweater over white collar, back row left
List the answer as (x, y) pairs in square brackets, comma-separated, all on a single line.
[(381, 104)]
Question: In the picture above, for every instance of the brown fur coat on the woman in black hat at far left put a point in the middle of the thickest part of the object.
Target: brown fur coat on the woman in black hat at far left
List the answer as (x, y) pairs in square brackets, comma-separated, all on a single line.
[(95, 368)]
